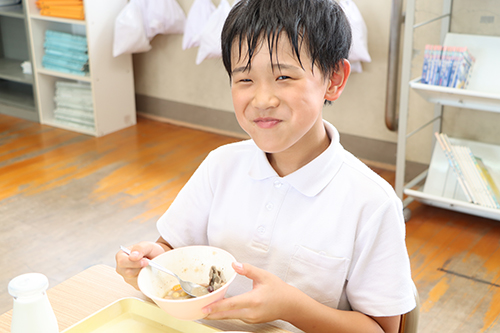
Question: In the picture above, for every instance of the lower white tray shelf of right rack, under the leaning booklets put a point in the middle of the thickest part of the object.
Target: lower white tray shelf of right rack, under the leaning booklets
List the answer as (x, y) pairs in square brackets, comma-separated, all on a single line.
[(441, 187)]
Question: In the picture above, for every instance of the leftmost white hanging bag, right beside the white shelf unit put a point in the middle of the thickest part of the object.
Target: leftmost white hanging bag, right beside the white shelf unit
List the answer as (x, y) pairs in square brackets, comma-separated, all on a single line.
[(129, 35)]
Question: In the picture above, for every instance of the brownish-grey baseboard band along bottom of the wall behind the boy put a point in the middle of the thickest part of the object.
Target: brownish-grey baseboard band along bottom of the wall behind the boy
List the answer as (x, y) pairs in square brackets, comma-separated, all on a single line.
[(376, 153)]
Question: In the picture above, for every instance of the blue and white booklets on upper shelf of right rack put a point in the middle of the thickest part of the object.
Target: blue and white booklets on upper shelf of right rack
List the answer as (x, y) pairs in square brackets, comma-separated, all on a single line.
[(447, 66)]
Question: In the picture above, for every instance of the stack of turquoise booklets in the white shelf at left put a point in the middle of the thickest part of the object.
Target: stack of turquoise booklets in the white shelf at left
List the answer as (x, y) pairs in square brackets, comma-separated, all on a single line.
[(65, 53)]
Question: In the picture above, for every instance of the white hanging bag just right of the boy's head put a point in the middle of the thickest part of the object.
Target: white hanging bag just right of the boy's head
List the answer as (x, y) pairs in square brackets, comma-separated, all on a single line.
[(359, 48)]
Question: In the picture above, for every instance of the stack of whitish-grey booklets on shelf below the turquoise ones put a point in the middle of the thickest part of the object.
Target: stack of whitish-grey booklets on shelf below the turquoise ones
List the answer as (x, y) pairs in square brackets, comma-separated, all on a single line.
[(74, 104)]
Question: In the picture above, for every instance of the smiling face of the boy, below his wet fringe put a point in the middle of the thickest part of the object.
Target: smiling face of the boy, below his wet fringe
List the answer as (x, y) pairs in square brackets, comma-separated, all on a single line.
[(280, 107)]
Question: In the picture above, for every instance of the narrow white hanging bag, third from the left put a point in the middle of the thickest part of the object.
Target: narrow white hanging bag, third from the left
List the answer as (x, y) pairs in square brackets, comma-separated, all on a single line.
[(198, 16)]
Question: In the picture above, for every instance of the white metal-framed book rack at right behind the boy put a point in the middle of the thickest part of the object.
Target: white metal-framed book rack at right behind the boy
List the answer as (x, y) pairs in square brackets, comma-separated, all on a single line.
[(483, 94)]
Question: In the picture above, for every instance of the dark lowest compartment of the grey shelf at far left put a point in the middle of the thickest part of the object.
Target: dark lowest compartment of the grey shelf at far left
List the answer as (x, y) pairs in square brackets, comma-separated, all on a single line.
[(16, 94)]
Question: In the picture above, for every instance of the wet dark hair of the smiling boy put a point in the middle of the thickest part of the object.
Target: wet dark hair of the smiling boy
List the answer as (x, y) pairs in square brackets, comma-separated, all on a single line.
[(319, 25)]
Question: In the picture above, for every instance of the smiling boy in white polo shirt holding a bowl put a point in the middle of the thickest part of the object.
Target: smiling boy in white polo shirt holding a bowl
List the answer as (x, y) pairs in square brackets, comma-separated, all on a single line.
[(320, 236)]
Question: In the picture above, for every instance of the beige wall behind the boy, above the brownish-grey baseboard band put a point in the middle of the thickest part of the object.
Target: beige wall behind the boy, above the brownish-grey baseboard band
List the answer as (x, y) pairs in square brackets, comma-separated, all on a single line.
[(167, 72)]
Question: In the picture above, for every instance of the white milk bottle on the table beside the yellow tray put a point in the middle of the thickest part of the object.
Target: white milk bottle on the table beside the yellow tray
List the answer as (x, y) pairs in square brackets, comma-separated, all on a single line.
[(32, 311)]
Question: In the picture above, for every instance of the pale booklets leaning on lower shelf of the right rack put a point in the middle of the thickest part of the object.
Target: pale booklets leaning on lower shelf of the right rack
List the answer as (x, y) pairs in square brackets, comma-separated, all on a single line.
[(472, 175)]
